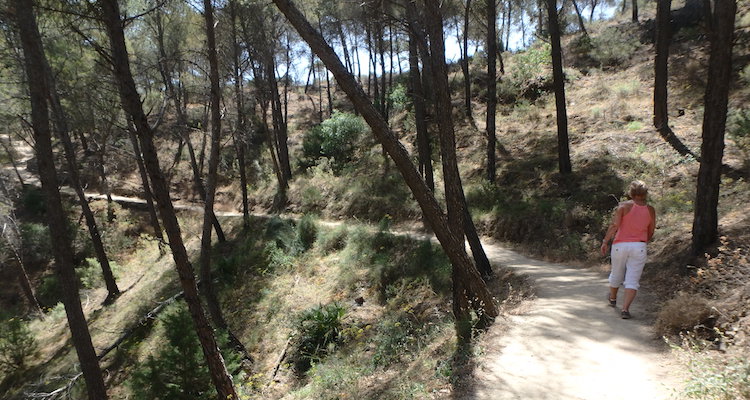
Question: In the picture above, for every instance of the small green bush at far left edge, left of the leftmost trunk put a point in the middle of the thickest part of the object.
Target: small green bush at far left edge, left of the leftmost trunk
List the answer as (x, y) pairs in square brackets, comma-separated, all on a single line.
[(17, 344)]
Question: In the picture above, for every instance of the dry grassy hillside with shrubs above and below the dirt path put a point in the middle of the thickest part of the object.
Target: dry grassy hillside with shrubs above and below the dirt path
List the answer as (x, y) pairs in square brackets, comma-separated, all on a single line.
[(340, 293)]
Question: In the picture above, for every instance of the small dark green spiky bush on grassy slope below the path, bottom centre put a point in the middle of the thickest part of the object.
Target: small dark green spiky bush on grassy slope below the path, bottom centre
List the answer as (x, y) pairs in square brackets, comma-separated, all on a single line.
[(317, 332)]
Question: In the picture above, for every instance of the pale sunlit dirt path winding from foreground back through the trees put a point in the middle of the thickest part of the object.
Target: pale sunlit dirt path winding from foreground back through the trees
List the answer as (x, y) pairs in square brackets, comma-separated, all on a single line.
[(569, 345)]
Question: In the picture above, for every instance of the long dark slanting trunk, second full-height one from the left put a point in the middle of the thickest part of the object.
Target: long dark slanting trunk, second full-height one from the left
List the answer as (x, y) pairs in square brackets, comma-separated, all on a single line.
[(110, 14)]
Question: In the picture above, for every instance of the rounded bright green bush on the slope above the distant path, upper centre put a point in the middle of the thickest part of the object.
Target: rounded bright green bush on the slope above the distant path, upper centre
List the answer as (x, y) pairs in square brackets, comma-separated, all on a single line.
[(334, 139)]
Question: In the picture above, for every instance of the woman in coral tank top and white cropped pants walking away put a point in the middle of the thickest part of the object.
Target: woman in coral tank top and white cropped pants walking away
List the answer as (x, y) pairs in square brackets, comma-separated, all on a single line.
[(632, 227)]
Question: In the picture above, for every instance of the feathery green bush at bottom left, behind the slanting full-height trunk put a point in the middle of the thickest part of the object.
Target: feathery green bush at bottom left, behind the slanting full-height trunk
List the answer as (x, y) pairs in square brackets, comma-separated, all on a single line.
[(178, 370)]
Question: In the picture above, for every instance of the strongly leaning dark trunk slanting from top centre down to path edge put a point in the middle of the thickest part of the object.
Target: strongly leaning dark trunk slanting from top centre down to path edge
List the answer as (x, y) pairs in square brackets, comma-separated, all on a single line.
[(470, 282)]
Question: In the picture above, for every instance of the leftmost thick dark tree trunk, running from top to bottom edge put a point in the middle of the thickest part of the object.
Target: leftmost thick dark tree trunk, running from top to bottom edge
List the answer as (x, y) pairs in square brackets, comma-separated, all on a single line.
[(34, 61)]
